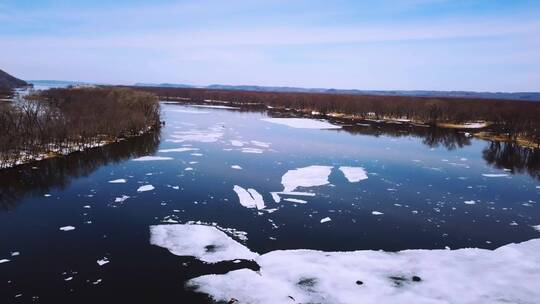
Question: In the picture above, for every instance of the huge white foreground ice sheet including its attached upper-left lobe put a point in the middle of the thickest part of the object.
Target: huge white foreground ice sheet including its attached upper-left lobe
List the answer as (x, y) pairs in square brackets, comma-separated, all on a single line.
[(505, 275)]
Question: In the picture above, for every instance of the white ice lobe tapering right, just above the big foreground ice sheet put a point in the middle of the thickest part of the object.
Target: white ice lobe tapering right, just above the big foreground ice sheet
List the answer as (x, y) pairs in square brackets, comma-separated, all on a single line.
[(206, 243)]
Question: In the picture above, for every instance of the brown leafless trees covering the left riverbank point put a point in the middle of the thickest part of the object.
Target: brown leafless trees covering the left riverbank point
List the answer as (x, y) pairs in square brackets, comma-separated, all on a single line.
[(67, 120)]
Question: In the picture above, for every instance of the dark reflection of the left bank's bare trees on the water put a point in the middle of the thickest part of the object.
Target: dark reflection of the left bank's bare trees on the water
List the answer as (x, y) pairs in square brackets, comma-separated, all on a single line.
[(38, 178)]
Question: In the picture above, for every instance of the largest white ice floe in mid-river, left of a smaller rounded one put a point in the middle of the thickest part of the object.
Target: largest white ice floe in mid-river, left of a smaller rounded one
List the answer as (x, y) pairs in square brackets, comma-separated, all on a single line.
[(305, 177)]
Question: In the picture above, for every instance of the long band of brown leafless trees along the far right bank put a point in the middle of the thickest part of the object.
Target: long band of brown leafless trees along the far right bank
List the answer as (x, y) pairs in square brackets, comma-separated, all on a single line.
[(516, 119)]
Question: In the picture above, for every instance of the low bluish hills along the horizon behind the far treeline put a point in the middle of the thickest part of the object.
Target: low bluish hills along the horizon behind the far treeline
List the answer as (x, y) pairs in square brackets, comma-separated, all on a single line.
[(527, 96)]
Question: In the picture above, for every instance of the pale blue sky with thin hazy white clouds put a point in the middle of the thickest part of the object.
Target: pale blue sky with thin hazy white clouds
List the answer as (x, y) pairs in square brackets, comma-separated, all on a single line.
[(410, 44)]
